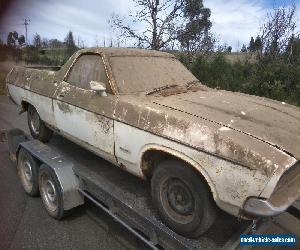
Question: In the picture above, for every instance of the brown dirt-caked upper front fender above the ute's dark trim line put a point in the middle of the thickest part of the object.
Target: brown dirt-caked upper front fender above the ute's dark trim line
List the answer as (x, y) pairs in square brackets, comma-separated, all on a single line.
[(201, 134)]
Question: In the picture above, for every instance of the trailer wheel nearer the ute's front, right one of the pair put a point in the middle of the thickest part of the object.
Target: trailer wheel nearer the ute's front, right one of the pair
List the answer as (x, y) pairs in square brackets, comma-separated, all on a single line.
[(51, 193)]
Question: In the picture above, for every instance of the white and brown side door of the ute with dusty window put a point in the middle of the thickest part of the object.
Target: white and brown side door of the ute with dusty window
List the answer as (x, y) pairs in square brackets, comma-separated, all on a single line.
[(83, 115)]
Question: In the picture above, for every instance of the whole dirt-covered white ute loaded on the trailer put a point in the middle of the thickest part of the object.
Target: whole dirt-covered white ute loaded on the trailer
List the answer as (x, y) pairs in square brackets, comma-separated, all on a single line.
[(145, 112)]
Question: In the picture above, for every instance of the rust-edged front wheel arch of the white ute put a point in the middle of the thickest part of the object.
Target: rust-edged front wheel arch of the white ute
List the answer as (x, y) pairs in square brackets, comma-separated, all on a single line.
[(152, 154)]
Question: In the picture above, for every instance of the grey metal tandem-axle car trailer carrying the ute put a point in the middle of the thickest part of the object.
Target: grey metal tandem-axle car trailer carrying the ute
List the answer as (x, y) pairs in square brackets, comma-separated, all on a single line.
[(78, 175)]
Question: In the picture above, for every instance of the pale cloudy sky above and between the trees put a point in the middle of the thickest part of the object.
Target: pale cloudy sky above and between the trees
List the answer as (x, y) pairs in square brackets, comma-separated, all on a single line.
[(234, 21)]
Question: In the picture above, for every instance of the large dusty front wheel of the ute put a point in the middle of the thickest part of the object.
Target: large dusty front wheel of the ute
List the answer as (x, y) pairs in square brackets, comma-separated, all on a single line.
[(182, 199)]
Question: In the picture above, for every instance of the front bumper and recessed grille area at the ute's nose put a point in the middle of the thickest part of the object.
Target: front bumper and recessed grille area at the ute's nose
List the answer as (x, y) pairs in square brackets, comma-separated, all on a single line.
[(287, 191)]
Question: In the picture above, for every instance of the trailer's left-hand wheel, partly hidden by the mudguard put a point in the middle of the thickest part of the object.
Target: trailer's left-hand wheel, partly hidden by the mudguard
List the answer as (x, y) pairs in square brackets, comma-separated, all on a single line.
[(28, 169)]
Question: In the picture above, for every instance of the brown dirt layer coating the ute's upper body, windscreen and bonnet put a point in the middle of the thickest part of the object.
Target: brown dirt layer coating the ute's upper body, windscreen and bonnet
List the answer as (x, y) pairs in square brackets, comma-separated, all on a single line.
[(229, 125)]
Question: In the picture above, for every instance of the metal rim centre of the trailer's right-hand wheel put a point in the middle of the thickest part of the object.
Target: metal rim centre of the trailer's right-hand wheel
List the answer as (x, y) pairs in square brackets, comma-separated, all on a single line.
[(49, 193)]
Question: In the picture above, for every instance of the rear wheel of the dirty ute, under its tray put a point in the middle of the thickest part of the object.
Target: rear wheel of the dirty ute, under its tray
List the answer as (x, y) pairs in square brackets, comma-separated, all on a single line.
[(37, 127)]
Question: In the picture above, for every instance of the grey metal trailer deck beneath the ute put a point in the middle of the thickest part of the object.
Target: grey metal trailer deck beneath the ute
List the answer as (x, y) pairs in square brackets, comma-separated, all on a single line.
[(127, 198)]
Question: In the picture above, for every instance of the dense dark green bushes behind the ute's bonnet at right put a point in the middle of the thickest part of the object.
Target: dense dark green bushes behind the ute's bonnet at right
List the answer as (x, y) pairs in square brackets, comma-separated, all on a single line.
[(277, 80)]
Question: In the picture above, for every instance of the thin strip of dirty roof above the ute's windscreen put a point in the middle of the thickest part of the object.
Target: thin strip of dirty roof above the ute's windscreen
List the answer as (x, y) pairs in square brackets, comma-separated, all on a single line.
[(115, 52)]
